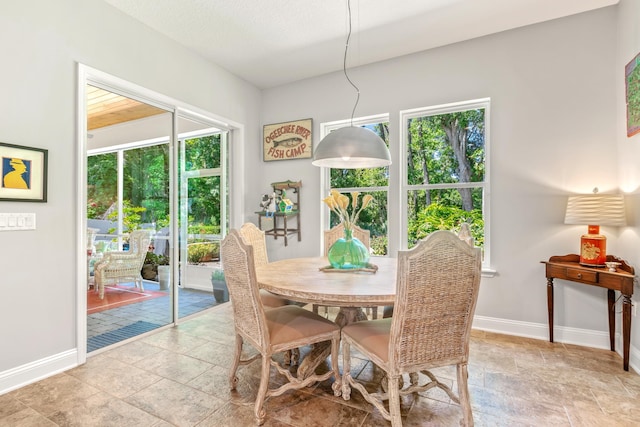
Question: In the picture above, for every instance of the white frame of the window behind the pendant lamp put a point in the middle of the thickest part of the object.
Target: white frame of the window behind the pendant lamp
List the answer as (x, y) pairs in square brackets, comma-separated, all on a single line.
[(325, 176)]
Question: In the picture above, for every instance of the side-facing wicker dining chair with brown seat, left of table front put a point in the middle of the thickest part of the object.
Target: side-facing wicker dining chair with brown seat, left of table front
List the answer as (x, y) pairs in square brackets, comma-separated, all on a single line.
[(271, 331)]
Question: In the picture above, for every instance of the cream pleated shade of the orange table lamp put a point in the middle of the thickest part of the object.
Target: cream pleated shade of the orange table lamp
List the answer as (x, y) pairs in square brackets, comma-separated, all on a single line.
[(596, 209)]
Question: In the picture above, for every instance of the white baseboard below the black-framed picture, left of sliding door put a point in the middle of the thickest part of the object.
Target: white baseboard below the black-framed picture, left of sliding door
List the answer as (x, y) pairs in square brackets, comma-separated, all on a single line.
[(35, 371)]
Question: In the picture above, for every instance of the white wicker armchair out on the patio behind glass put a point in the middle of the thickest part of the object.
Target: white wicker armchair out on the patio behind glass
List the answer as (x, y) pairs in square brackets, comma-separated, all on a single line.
[(121, 266)]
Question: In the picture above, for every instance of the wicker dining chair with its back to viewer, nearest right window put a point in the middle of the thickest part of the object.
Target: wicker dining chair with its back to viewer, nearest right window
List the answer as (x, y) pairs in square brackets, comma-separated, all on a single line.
[(436, 295)]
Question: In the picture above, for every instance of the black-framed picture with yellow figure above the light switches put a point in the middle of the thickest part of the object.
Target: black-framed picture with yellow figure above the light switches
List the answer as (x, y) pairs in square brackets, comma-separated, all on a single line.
[(23, 173)]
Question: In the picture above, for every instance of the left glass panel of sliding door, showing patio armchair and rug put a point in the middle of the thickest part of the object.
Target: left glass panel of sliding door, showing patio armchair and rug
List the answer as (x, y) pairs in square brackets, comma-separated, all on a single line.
[(128, 175)]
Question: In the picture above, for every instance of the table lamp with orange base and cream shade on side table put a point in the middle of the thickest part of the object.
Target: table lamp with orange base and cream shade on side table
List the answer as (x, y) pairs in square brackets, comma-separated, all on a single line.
[(595, 210)]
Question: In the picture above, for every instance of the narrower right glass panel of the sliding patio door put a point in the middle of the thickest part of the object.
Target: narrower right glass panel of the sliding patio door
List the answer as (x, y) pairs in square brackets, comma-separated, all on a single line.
[(203, 207)]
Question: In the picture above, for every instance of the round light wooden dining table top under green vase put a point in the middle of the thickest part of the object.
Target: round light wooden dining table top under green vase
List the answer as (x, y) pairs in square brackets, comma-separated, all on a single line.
[(300, 279)]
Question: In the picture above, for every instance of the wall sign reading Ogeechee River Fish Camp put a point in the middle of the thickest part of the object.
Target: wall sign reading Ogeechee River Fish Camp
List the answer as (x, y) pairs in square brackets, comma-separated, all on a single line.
[(287, 141)]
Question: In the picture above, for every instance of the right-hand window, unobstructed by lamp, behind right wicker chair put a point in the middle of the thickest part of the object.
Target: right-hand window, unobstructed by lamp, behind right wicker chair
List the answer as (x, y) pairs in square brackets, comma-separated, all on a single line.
[(445, 178)]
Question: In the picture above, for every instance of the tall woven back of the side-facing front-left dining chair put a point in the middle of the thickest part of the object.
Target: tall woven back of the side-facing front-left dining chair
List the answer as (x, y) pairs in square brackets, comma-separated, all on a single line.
[(240, 275)]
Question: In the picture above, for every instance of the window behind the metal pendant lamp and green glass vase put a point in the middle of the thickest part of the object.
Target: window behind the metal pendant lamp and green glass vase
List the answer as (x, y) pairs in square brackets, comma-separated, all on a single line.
[(366, 181)]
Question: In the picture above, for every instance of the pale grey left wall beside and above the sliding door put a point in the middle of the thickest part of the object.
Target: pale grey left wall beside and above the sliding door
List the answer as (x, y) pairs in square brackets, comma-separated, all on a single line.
[(42, 42)]
